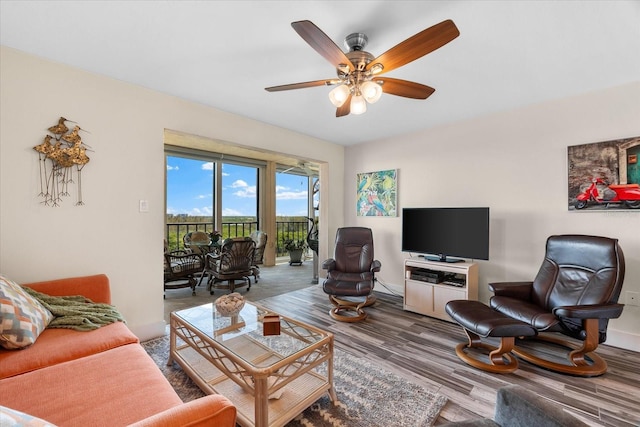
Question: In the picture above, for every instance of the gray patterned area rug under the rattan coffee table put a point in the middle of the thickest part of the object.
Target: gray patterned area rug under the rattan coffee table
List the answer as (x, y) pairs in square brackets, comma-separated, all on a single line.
[(368, 395)]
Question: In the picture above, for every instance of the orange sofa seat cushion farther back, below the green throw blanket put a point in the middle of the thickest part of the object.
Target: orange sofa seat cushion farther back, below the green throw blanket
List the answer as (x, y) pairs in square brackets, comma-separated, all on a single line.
[(61, 345)]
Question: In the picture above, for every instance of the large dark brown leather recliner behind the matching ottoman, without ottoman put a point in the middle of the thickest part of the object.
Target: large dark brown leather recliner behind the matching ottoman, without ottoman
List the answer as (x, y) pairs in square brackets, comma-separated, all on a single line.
[(575, 293)]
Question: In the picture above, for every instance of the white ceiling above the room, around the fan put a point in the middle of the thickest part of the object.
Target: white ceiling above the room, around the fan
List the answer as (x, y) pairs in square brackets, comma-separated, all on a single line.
[(224, 53)]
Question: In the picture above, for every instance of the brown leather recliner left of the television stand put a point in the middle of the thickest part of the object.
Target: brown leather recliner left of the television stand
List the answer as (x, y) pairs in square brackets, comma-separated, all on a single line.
[(351, 274)]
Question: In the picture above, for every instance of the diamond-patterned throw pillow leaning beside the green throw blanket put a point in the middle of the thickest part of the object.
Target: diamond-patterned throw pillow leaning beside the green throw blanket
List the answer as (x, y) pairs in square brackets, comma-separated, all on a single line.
[(22, 318)]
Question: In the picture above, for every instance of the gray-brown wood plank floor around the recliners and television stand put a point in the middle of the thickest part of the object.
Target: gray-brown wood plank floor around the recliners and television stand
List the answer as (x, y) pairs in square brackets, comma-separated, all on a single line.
[(421, 349)]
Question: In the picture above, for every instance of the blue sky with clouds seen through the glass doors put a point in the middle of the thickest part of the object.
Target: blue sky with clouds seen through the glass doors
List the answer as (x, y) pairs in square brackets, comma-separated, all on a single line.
[(190, 189)]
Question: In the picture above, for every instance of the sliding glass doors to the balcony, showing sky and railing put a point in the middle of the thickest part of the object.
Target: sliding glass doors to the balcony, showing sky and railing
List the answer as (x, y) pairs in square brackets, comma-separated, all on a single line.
[(213, 192)]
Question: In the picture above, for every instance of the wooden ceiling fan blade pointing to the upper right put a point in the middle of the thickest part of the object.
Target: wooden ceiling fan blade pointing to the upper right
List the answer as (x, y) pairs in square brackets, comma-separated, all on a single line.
[(417, 46)]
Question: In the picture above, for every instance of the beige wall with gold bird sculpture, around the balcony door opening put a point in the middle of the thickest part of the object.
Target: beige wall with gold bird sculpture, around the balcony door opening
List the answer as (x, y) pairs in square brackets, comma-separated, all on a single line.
[(108, 234)]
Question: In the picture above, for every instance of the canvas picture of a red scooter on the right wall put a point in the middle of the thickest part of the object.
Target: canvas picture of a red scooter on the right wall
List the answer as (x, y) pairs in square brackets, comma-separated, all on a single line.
[(604, 176)]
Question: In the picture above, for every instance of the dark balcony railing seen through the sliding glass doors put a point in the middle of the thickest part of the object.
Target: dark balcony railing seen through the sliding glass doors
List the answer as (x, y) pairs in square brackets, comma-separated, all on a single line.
[(284, 230)]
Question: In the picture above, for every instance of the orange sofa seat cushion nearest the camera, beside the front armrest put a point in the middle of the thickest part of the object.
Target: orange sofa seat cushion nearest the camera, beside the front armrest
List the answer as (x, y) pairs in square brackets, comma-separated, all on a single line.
[(116, 387)]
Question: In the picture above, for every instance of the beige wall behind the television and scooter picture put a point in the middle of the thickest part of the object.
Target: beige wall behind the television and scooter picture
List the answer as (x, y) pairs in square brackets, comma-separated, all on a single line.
[(515, 163)]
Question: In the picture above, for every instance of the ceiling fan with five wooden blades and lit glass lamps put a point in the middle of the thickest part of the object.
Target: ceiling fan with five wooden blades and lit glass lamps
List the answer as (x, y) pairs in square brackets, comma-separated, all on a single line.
[(358, 71)]
